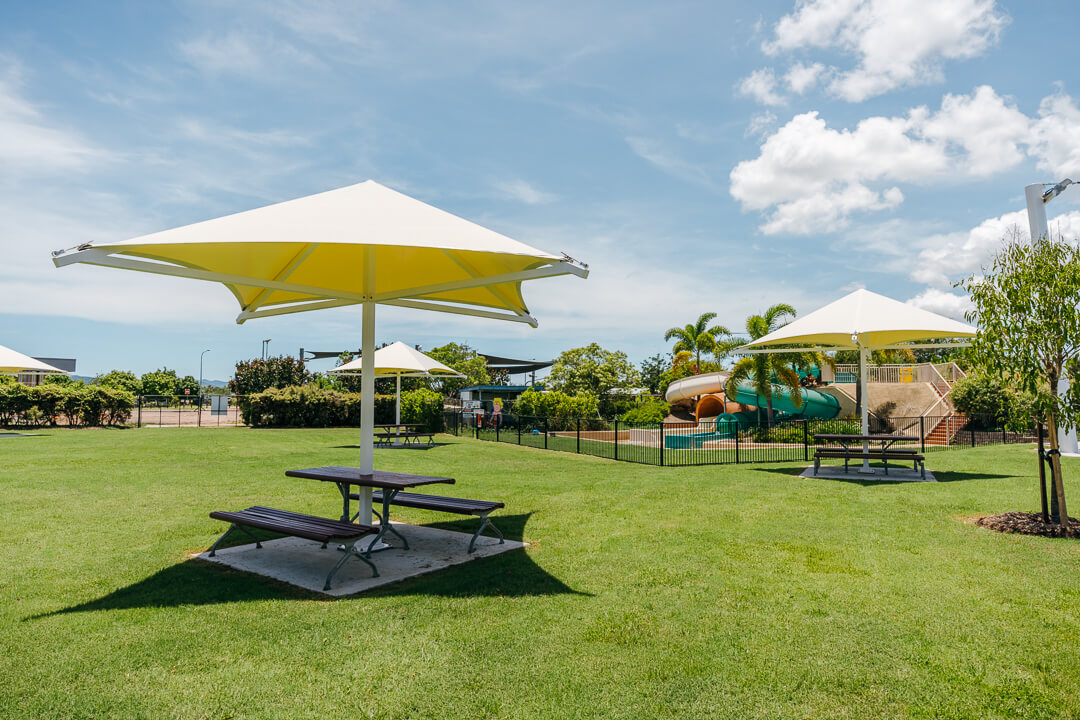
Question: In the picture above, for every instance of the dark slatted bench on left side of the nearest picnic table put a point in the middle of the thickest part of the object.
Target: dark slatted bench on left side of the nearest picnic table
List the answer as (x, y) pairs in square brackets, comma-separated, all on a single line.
[(298, 525)]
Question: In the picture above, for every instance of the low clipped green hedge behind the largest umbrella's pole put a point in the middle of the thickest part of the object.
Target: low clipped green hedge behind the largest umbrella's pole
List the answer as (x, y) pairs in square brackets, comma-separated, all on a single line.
[(310, 406)]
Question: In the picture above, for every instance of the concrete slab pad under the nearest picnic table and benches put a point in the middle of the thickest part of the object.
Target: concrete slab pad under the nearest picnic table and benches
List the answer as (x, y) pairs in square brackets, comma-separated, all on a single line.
[(305, 564)]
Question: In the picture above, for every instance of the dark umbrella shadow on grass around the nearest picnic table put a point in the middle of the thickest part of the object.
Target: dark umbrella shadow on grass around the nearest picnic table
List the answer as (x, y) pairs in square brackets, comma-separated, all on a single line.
[(198, 582)]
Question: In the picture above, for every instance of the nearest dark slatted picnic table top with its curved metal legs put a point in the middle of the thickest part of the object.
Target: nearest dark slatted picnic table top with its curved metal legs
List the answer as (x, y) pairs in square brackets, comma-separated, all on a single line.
[(391, 484)]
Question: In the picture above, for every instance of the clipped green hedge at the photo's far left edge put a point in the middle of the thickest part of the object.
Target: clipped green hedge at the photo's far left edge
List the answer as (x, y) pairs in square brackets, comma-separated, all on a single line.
[(78, 404)]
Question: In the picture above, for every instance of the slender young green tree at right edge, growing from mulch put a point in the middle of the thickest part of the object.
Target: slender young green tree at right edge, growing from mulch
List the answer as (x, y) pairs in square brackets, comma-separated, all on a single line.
[(1029, 329)]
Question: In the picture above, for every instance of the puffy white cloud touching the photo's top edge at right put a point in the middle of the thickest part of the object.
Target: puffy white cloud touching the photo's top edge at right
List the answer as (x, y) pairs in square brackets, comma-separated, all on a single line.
[(896, 43)]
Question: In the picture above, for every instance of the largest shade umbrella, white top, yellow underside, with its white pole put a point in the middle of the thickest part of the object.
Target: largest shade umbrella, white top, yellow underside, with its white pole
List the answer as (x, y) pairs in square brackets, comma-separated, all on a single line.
[(364, 244)]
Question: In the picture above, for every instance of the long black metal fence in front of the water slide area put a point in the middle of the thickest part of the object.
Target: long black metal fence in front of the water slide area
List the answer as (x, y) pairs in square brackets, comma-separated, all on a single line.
[(712, 443)]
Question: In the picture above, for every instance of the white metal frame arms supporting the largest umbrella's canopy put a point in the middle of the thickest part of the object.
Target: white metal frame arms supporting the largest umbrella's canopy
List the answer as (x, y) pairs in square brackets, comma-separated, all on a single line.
[(407, 298)]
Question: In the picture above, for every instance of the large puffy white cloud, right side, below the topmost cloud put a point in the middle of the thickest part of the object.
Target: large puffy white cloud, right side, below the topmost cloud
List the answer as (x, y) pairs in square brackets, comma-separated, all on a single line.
[(812, 178)]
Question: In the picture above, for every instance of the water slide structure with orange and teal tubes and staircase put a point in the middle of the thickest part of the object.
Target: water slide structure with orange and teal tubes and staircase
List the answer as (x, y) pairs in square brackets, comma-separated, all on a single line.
[(916, 390)]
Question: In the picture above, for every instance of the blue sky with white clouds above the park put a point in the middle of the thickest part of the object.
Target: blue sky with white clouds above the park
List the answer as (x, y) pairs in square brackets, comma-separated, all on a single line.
[(698, 156)]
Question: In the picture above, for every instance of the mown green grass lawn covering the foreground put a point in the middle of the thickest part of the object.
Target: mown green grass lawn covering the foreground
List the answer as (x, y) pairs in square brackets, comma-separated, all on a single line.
[(725, 592)]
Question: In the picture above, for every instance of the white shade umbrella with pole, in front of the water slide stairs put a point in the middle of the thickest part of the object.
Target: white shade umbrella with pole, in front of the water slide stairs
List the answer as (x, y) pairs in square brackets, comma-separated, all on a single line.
[(862, 321)]
